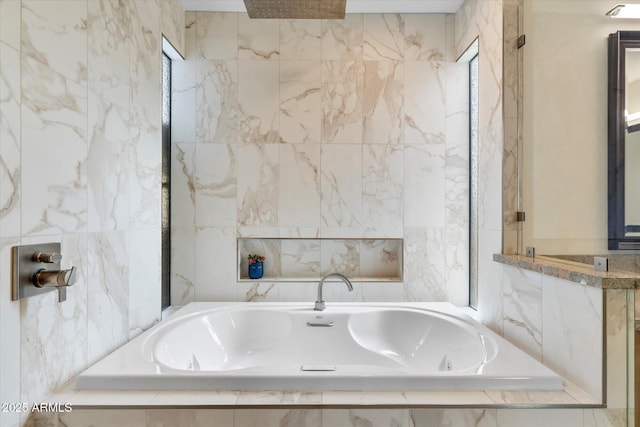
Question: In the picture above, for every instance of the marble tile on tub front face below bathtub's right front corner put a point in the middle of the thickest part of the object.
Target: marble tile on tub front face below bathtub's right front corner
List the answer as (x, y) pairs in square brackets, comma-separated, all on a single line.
[(540, 417)]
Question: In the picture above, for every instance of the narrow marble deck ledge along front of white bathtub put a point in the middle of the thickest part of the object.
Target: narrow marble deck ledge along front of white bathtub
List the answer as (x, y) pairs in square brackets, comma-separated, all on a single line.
[(570, 397)]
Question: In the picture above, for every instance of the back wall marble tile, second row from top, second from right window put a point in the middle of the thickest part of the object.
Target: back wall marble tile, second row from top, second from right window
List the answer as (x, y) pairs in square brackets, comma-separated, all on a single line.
[(424, 121)]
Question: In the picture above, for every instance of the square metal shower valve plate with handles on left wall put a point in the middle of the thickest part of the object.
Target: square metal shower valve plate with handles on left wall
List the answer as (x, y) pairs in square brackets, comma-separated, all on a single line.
[(36, 270)]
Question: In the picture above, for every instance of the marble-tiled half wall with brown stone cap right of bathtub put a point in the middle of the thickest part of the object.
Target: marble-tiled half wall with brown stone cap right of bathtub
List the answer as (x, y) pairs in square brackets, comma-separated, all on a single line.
[(578, 321)]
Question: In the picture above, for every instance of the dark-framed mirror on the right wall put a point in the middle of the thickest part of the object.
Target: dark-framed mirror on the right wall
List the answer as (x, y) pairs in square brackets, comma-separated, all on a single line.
[(624, 140)]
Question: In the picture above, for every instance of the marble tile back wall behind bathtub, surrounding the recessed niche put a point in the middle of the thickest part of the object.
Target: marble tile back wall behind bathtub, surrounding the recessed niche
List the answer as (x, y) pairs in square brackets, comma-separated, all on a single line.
[(319, 129)]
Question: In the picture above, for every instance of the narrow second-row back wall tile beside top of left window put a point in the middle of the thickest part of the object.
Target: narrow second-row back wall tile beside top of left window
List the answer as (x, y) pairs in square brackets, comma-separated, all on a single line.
[(184, 87)]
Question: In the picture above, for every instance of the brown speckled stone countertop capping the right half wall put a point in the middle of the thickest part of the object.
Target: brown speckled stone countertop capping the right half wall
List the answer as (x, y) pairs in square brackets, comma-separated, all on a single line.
[(573, 271)]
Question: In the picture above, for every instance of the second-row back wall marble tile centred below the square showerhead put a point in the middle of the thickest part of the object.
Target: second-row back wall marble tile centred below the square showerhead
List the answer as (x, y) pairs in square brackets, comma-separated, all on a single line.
[(300, 101)]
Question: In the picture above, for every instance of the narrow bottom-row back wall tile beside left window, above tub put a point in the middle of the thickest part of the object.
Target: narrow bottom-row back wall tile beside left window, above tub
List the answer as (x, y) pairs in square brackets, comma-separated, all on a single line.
[(183, 283)]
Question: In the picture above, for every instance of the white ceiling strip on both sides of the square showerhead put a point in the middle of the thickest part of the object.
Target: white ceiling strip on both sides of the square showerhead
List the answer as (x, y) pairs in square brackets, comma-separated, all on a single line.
[(353, 6)]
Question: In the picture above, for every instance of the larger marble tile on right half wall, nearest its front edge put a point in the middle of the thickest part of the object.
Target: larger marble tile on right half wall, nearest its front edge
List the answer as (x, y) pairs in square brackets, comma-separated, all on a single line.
[(572, 340)]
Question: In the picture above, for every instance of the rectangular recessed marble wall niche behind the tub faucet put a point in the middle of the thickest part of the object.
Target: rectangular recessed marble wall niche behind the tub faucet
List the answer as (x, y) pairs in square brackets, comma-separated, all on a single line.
[(307, 260)]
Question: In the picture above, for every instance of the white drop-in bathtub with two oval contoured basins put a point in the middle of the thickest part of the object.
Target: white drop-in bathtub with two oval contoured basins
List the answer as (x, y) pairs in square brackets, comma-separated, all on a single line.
[(289, 346)]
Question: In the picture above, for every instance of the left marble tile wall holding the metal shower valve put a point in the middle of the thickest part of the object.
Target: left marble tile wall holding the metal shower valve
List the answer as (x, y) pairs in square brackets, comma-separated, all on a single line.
[(79, 164)]
